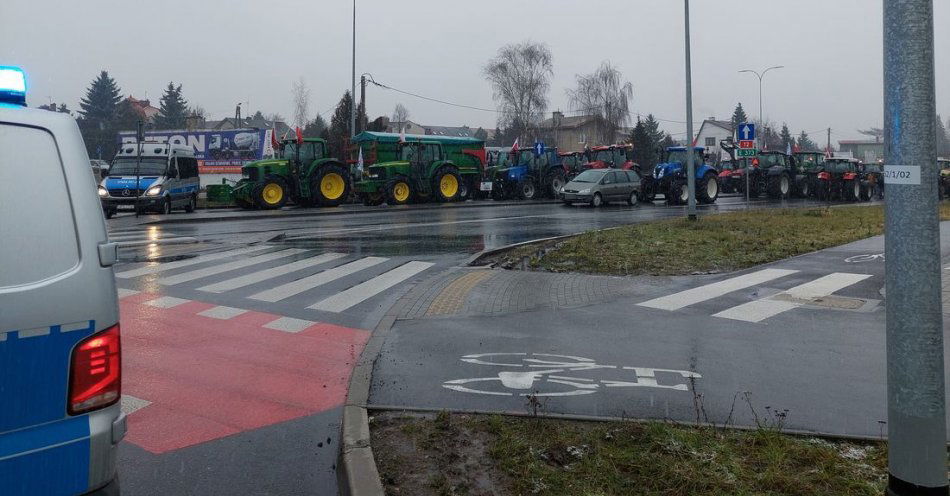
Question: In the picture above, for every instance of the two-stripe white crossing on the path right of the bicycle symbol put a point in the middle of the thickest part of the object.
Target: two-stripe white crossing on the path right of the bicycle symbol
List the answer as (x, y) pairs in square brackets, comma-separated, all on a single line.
[(760, 309)]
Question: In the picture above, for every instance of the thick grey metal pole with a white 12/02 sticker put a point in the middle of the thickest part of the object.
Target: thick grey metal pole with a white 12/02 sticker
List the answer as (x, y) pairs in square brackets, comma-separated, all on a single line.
[(916, 411)]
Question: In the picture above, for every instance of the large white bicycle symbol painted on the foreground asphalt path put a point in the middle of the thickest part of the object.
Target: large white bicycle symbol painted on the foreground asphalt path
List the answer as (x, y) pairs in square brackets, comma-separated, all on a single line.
[(543, 374)]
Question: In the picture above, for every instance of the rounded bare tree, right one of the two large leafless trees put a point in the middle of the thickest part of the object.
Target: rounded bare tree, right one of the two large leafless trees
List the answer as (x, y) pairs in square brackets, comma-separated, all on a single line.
[(605, 95)]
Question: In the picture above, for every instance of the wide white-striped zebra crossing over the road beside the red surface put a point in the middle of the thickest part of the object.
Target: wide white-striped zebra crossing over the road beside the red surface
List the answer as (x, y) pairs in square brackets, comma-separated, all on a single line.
[(327, 282)]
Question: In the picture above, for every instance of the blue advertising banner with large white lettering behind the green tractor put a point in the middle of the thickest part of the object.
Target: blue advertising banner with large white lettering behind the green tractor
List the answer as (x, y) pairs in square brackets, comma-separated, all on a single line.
[(218, 152)]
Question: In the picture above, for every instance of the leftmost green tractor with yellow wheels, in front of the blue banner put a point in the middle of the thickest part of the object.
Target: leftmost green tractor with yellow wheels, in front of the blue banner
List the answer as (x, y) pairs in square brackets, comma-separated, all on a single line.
[(301, 172)]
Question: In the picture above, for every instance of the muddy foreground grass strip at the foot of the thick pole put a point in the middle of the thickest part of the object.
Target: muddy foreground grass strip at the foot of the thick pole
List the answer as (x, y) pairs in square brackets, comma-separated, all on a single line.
[(472, 455)]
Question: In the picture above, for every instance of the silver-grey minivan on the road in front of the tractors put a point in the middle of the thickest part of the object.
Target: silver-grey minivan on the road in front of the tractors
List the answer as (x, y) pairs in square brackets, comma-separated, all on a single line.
[(601, 186)]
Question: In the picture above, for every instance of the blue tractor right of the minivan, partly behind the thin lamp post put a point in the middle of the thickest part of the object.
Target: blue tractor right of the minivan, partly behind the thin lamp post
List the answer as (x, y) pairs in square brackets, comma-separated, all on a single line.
[(669, 178)]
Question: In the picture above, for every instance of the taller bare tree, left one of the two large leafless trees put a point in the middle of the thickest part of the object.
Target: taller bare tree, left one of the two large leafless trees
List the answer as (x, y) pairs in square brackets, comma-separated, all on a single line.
[(520, 76)]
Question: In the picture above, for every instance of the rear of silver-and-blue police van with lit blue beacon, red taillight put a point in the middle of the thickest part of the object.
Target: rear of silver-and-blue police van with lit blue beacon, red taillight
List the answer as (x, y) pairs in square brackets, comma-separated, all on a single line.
[(60, 359)]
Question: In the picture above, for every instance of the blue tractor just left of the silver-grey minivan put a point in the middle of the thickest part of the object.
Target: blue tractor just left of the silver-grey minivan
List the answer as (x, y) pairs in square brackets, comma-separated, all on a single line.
[(529, 176)]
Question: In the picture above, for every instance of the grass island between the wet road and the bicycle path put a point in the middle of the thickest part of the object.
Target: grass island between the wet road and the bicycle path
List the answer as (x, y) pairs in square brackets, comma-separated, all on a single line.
[(716, 243)]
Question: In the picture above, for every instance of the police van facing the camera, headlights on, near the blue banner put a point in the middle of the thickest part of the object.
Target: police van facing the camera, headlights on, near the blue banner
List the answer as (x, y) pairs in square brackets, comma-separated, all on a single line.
[(151, 176)]
